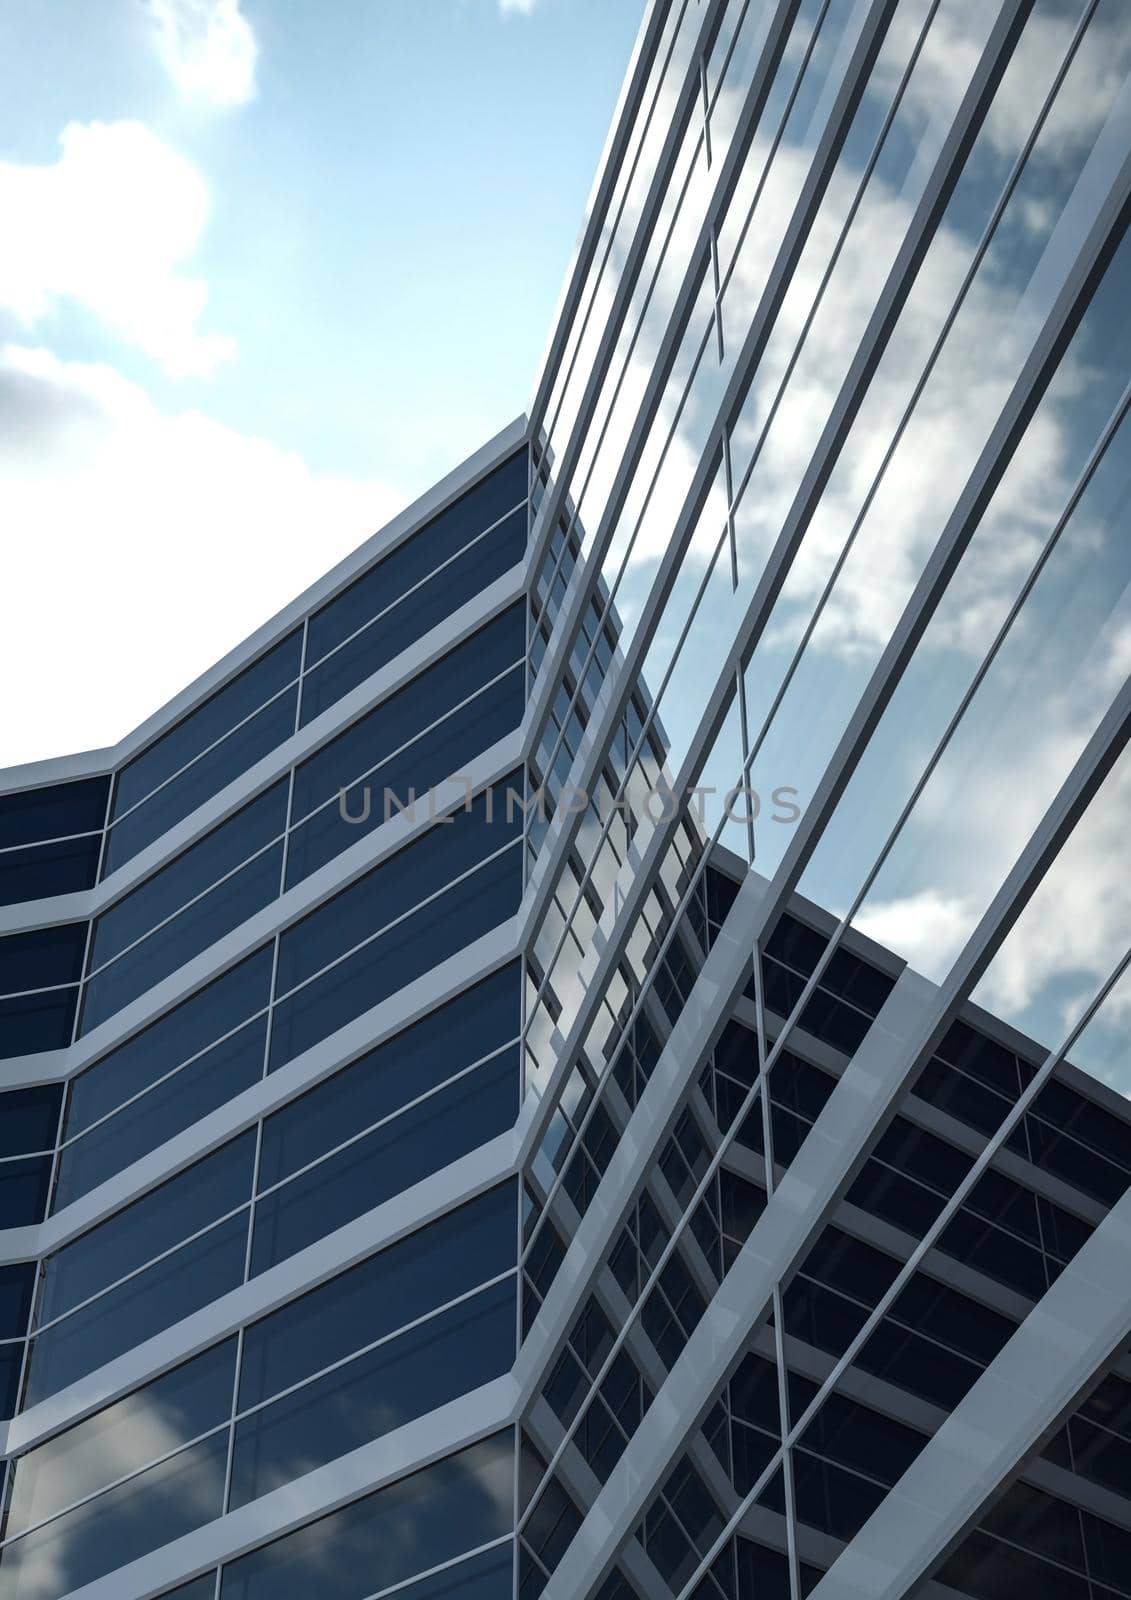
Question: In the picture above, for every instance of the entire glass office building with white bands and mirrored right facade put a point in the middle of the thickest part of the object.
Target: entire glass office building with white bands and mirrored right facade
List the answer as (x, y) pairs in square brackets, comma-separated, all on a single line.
[(589, 1057)]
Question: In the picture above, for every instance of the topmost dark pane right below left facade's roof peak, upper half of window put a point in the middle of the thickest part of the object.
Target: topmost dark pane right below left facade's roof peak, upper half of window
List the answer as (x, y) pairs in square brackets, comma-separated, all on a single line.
[(418, 558)]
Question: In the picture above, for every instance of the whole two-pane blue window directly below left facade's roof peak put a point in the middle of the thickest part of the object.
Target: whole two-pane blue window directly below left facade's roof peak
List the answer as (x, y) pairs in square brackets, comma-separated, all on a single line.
[(417, 586)]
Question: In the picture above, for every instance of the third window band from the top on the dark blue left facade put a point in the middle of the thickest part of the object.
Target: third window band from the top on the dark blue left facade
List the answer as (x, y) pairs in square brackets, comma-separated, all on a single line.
[(399, 921)]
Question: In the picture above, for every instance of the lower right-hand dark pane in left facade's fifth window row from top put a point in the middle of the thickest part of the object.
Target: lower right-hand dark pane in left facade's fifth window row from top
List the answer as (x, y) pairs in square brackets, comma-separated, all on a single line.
[(377, 1393)]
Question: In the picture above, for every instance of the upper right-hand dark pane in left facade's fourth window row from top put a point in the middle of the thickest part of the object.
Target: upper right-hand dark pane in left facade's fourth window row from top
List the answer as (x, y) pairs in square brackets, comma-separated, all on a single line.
[(471, 1026)]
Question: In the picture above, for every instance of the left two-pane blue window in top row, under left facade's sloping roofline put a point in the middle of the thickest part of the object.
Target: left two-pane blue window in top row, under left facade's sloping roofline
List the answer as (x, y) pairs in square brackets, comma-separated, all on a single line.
[(223, 738)]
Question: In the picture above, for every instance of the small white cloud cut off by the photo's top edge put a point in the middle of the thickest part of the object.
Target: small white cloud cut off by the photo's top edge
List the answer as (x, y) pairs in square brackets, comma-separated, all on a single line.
[(209, 49)]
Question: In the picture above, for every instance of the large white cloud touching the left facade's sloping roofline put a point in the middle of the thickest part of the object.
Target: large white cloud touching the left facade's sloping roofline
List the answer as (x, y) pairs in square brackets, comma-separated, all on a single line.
[(142, 546)]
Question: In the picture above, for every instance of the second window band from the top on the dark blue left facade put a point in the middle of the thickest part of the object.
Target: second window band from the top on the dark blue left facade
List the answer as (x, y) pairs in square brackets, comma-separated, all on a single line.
[(438, 727)]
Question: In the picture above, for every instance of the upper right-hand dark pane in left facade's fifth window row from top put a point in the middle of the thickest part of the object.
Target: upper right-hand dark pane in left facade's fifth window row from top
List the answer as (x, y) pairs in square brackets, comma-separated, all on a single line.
[(396, 1287)]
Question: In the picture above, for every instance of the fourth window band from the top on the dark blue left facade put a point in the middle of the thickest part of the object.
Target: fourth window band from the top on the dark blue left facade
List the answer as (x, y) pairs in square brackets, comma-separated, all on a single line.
[(391, 1121)]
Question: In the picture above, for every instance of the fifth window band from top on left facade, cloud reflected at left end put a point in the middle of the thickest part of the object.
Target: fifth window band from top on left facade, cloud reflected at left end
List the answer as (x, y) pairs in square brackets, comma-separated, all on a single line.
[(406, 1332)]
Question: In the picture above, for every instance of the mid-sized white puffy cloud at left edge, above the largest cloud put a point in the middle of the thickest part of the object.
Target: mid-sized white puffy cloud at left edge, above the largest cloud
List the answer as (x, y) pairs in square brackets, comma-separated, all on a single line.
[(108, 228)]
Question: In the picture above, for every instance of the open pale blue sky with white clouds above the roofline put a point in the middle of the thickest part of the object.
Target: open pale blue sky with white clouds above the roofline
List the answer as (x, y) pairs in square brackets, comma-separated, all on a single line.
[(271, 270)]
